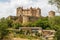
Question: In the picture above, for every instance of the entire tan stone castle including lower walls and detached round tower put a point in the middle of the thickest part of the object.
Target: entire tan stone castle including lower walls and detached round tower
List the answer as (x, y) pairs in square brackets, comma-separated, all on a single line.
[(29, 15)]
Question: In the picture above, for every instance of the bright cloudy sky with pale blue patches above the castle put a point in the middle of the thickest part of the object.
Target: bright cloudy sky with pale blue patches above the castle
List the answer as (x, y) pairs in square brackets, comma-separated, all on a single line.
[(8, 7)]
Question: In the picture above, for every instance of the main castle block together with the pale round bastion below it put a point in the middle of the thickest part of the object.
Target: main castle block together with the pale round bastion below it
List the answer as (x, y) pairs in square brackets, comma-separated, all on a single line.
[(31, 14)]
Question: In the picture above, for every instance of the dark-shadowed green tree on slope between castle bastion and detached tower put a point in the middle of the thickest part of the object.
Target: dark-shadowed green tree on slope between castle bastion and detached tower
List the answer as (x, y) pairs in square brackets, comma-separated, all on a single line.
[(42, 23)]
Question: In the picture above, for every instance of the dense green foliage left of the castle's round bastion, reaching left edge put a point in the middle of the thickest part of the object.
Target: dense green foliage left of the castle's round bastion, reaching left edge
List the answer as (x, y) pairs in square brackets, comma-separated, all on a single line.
[(5, 24)]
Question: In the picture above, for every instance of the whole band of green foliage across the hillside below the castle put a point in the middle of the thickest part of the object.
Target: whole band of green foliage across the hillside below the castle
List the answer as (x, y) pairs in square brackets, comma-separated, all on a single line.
[(44, 23)]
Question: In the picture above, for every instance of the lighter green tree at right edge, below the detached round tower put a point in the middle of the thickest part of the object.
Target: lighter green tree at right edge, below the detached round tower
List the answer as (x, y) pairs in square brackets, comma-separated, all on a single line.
[(54, 23)]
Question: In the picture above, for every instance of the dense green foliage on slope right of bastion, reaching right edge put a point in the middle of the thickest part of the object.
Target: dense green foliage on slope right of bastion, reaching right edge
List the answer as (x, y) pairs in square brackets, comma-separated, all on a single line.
[(46, 23)]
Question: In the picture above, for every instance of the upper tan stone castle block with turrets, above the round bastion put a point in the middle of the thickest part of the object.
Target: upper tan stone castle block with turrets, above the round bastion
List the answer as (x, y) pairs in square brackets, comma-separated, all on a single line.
[(29, 12)]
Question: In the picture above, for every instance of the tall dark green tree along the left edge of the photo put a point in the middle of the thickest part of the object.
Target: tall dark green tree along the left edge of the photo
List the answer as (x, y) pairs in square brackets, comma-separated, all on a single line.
[(3, 28)]
